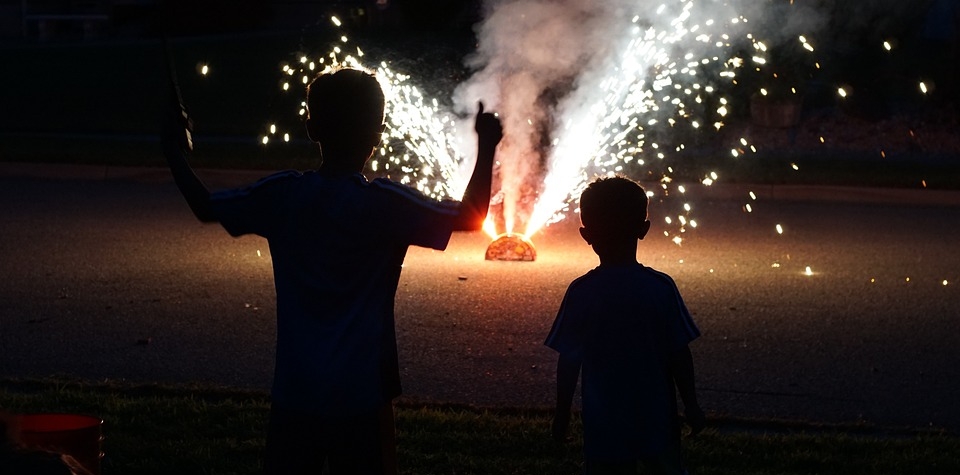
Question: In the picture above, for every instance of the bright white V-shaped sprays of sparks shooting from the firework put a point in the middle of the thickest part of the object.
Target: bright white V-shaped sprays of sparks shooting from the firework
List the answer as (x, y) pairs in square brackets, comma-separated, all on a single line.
[(662, 74)]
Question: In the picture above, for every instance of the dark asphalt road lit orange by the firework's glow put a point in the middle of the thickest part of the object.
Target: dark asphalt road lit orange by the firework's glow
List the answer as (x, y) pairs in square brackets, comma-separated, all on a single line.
[(108, 277)]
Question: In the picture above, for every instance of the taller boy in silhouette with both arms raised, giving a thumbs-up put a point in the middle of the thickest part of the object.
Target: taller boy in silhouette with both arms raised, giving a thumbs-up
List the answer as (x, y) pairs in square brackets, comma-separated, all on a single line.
[(337, 242)]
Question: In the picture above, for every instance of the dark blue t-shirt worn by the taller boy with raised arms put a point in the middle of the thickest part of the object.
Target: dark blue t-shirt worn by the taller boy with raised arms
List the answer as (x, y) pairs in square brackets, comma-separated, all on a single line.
[(337, 245)]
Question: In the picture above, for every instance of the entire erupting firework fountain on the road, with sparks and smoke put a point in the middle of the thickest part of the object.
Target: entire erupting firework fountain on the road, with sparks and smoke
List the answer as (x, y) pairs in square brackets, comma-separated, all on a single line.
[(584, 89)]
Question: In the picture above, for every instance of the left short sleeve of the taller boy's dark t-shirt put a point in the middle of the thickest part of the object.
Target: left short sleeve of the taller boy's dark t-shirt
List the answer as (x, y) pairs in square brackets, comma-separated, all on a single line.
[(254, 209)]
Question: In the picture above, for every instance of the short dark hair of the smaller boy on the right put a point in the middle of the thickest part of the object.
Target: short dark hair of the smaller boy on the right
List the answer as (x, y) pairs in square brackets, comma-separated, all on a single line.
[(610, 204)]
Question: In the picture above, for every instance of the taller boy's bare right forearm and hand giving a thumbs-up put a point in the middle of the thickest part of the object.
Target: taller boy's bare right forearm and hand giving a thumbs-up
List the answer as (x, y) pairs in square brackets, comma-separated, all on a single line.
[(476, 198)]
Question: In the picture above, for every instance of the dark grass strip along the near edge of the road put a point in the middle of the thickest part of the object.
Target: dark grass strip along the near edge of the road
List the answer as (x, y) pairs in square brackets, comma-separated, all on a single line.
[(152, 429)]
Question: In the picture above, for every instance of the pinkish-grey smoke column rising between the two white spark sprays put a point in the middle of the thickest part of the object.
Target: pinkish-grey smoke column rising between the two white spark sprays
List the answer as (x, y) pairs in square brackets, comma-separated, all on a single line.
[(531, 54)]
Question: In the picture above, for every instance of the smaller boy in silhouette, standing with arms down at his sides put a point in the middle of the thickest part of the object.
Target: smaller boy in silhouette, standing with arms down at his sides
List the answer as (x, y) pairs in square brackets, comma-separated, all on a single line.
[(627, 327)]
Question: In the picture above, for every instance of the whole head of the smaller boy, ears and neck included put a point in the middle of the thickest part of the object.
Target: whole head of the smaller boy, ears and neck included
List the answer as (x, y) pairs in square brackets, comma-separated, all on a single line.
[(613, 211)]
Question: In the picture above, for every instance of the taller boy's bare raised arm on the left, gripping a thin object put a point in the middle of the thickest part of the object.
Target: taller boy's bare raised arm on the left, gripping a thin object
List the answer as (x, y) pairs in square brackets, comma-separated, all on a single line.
[(177, 145)]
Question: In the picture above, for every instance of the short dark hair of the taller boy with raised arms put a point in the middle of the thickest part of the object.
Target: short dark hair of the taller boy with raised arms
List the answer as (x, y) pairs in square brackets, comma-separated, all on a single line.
[(347, 101)]
